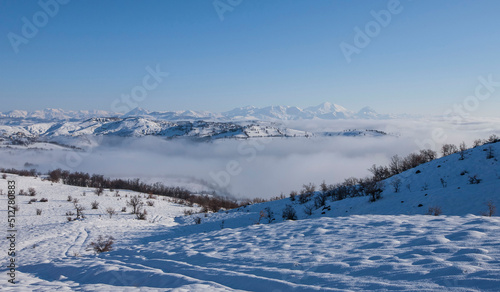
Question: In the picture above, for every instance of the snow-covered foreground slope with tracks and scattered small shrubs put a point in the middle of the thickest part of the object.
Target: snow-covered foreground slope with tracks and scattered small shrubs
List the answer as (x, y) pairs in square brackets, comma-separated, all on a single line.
[(347, 245)]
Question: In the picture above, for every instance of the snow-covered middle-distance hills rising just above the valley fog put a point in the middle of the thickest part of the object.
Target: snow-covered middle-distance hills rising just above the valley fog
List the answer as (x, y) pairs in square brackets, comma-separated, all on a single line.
[(27, 133)]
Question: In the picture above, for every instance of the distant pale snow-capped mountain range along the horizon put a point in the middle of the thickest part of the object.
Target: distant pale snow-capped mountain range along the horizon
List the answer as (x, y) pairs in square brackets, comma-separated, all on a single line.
[(325, 110)]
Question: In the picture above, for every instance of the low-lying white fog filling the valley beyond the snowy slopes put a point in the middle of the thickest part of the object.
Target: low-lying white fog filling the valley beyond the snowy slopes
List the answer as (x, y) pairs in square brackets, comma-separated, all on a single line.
[(257, 167)]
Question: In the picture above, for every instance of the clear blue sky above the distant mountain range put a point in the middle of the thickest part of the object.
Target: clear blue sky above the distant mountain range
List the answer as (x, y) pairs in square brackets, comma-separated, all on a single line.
[(264, 52)]
